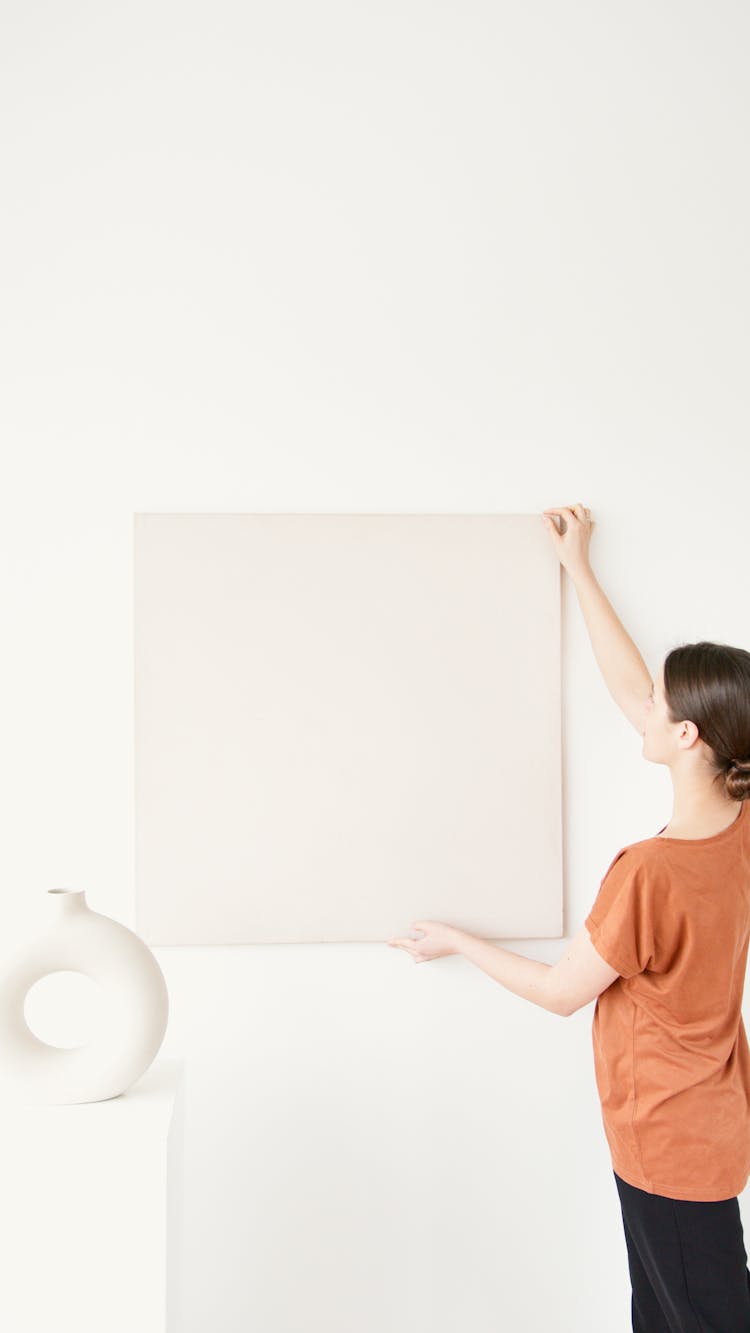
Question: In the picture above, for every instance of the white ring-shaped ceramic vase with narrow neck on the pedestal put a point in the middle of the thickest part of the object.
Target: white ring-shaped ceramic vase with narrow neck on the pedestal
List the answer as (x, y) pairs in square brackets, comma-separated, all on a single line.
[(133, 1020)]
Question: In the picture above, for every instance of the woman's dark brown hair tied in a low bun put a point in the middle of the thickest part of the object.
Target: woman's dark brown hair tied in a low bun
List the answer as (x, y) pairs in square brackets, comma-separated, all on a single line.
[(709, 684)]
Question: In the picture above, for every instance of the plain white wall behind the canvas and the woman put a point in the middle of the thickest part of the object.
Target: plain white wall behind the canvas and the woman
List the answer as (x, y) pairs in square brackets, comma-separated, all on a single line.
[(387, 258)]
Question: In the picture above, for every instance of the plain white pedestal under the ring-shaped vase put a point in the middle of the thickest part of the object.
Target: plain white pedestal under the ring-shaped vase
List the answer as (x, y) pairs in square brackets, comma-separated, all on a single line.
[(91, 1211)]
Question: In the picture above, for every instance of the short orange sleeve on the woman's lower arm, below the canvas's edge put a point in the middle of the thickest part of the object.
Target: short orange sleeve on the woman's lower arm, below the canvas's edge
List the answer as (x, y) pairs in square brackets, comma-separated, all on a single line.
[(621, 920)]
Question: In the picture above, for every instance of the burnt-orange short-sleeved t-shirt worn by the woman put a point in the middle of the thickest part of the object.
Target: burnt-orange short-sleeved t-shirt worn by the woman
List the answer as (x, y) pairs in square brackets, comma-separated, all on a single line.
[(671, 1051)]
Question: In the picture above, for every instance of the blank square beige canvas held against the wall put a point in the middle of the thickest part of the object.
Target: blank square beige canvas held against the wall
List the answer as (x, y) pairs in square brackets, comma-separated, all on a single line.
[(346, 723)]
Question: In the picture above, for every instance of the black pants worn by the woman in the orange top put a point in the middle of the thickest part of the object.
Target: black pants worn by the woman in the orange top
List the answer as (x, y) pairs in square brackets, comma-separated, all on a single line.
[(688, 1264)]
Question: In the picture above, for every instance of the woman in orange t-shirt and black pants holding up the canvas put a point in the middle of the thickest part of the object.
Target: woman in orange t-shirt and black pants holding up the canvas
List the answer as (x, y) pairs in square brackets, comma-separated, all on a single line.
[(664, 952)]
